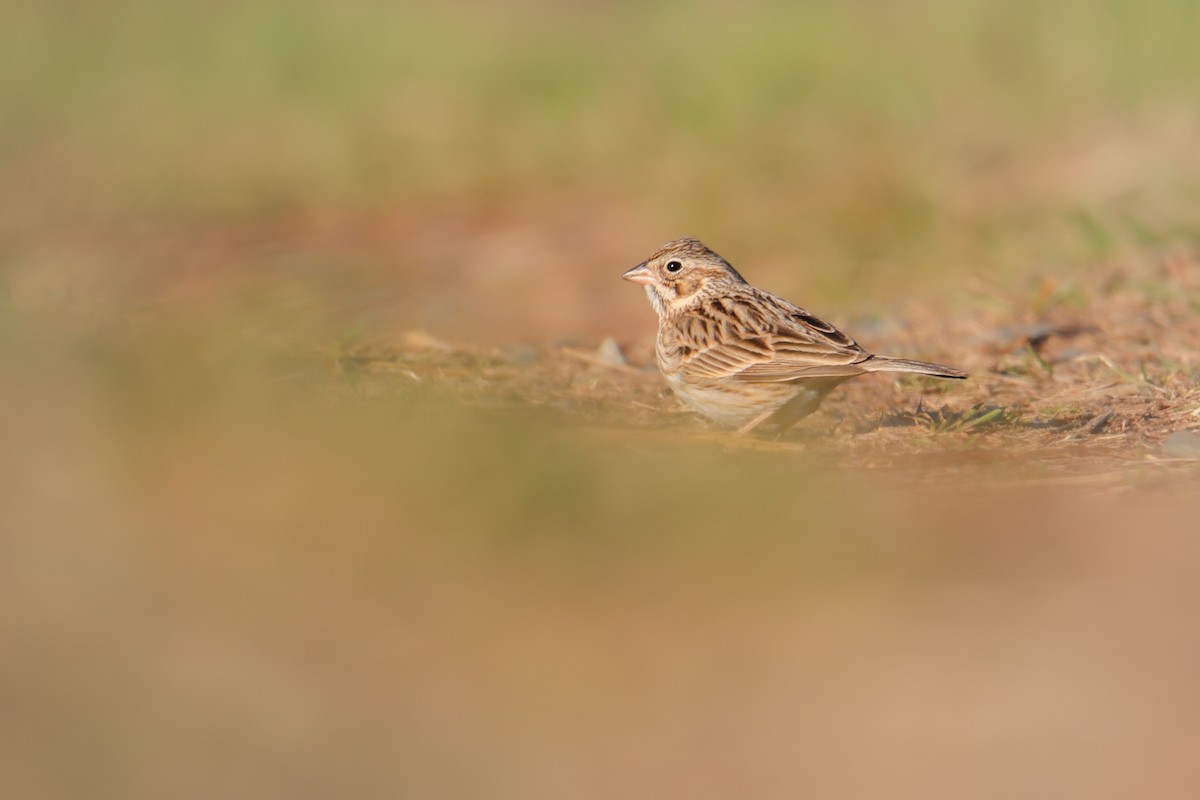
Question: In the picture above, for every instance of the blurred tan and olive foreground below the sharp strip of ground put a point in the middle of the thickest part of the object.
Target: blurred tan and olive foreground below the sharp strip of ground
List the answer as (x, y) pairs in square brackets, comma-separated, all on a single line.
[(233, 574)]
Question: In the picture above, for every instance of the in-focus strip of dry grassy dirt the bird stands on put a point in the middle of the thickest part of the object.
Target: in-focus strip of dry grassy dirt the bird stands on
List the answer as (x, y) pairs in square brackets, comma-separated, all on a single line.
[(1091, 384)]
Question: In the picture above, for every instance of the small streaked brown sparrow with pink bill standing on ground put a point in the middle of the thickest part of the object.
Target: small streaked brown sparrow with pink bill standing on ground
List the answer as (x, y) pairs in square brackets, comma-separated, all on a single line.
[(743, 357)]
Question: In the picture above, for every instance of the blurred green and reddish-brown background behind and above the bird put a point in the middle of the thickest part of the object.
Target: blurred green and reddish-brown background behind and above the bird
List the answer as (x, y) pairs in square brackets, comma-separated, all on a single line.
[(857, 149)]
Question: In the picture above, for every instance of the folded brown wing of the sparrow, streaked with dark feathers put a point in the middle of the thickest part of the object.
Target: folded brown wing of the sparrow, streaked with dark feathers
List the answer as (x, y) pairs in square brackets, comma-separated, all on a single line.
[(761, 339)]
